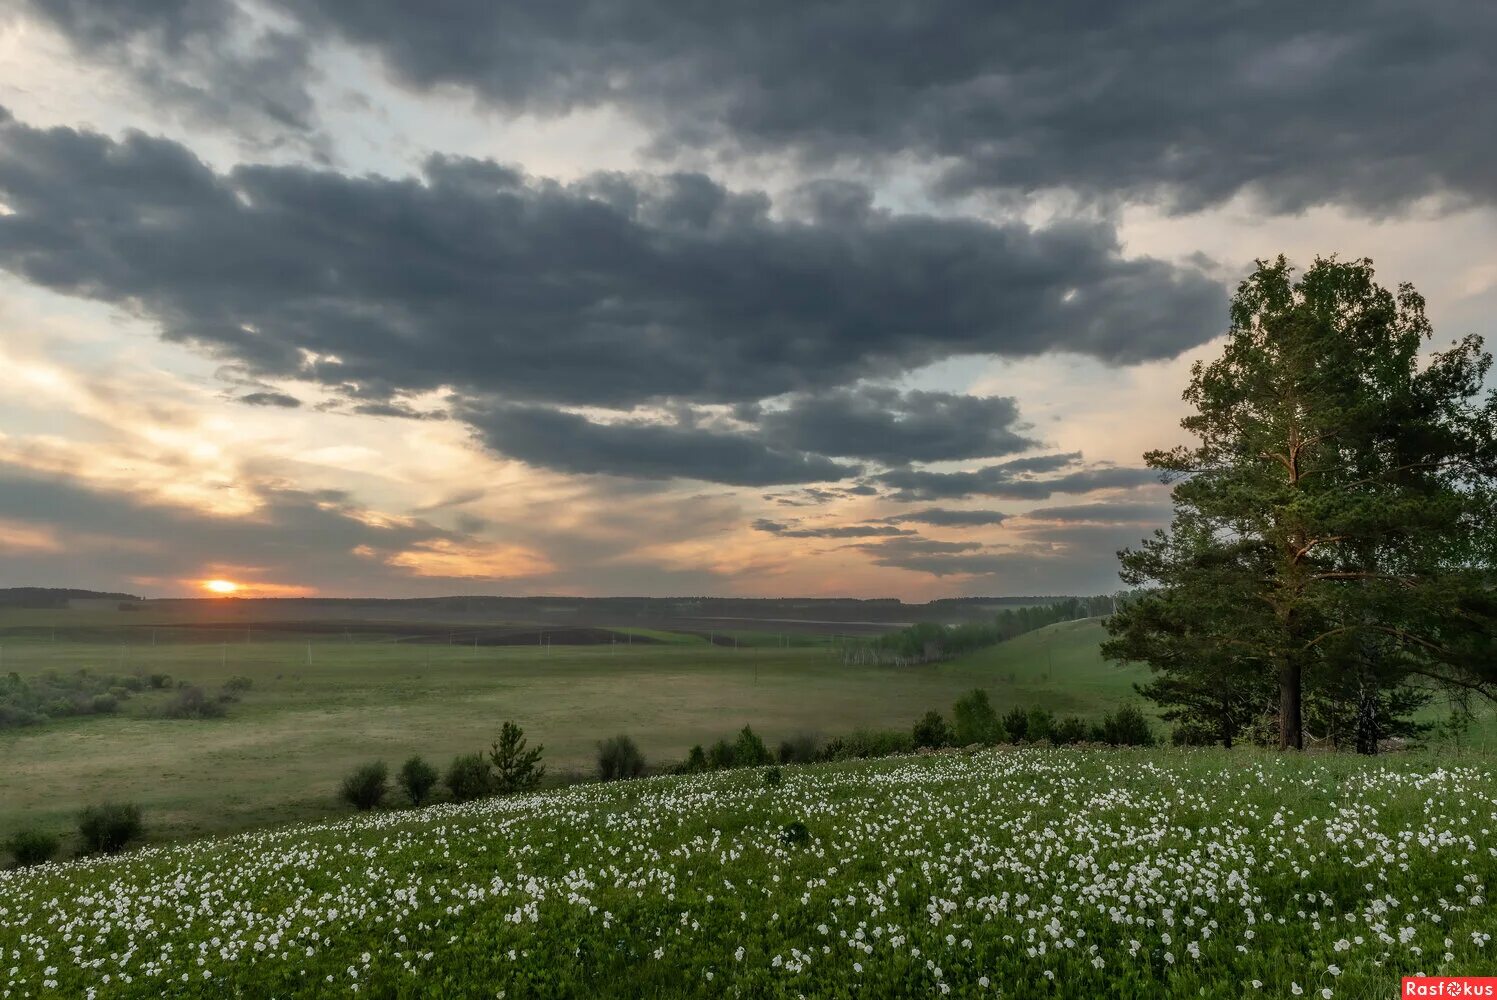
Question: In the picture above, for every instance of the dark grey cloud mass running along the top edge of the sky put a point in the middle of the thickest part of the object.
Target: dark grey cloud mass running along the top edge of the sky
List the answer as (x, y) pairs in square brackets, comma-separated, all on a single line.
[(1188, 103)]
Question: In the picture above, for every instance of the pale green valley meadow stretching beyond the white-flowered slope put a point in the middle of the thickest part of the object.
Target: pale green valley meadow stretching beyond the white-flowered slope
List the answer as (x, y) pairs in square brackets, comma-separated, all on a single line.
[(327, 701)]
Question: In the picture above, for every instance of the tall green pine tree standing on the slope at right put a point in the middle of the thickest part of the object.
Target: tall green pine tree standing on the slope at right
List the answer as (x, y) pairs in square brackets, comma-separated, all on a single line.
[(1332, 525)]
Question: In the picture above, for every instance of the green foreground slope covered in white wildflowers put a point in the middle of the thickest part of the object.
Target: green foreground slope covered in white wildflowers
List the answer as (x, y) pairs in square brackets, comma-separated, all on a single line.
[(1026, 872)]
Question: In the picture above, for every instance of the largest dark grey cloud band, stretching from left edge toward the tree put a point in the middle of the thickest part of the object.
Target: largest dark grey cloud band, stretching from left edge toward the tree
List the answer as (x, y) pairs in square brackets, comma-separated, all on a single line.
[(607, 293)]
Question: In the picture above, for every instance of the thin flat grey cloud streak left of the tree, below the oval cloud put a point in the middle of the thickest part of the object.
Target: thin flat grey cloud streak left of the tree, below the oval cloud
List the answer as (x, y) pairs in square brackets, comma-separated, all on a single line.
[(1011, 481)]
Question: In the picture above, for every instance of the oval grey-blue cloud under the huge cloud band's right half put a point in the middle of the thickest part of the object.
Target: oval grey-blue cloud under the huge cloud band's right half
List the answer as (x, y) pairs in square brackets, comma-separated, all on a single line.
[(894, 427)]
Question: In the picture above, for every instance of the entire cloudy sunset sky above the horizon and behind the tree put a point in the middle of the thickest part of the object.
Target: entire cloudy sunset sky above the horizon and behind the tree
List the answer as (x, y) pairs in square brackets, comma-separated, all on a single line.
[(879, 300)]
